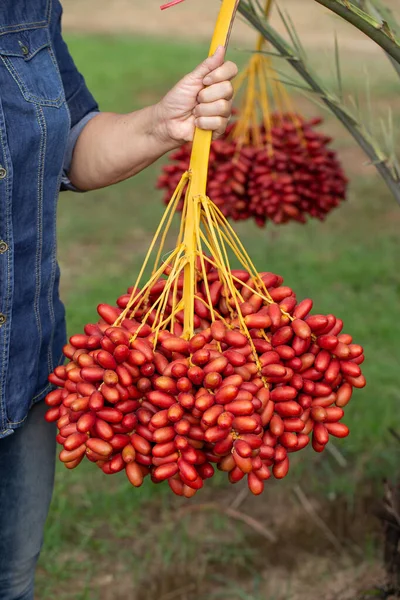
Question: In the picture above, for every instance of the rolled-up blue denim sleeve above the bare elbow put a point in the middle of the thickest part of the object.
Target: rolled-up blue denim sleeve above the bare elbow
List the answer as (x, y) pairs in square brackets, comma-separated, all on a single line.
[(82, 106)]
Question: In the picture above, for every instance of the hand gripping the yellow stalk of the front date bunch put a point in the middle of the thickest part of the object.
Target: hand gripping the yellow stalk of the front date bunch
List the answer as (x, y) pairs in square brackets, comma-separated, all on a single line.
[(201, 99)]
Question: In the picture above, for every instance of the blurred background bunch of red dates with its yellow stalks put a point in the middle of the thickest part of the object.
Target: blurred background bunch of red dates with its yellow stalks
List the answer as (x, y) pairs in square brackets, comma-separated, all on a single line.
[(272, 164)]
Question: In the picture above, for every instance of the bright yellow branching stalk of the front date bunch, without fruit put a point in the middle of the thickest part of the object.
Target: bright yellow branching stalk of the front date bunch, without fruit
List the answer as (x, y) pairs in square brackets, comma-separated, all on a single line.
[(205, 236)]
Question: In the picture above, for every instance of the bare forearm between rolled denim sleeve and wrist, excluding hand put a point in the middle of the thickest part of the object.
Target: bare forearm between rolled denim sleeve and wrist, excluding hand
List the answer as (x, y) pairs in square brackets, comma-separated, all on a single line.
[(114, 147)]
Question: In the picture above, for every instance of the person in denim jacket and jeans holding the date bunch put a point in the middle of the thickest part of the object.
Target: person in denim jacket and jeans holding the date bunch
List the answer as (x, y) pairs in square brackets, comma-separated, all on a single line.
[(53, 136)]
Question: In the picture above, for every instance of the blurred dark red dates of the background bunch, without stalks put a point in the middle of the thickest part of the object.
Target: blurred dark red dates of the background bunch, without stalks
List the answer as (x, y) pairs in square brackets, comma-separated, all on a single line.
[(292, 174)]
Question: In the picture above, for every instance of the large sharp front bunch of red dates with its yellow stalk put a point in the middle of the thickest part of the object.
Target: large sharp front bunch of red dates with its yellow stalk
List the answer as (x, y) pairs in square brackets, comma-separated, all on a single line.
[(202, 366)]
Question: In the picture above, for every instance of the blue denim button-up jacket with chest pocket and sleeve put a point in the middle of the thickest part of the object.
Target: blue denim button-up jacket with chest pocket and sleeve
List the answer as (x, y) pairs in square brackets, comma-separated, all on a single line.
[(44, 103)]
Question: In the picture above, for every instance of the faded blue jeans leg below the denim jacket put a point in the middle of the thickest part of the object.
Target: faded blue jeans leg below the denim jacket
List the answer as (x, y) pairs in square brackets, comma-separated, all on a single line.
[(27, 462)]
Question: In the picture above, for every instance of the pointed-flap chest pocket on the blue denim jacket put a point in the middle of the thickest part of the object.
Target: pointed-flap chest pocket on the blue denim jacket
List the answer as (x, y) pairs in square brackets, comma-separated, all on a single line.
[(30, 60)]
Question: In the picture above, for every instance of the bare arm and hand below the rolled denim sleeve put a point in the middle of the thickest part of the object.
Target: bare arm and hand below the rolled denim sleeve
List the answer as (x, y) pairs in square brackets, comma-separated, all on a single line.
[(114, 147)]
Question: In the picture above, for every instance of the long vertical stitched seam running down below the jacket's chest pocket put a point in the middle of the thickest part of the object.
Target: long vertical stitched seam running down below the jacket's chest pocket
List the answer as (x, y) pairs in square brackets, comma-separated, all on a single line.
[(39, 244)]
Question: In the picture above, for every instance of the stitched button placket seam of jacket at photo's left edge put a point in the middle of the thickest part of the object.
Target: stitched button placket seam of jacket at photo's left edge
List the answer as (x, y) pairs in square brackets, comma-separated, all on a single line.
[(8, 300)]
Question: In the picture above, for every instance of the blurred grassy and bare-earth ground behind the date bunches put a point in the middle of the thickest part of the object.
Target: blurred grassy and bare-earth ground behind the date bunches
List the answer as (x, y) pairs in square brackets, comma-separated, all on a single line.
[(315, 535)]
